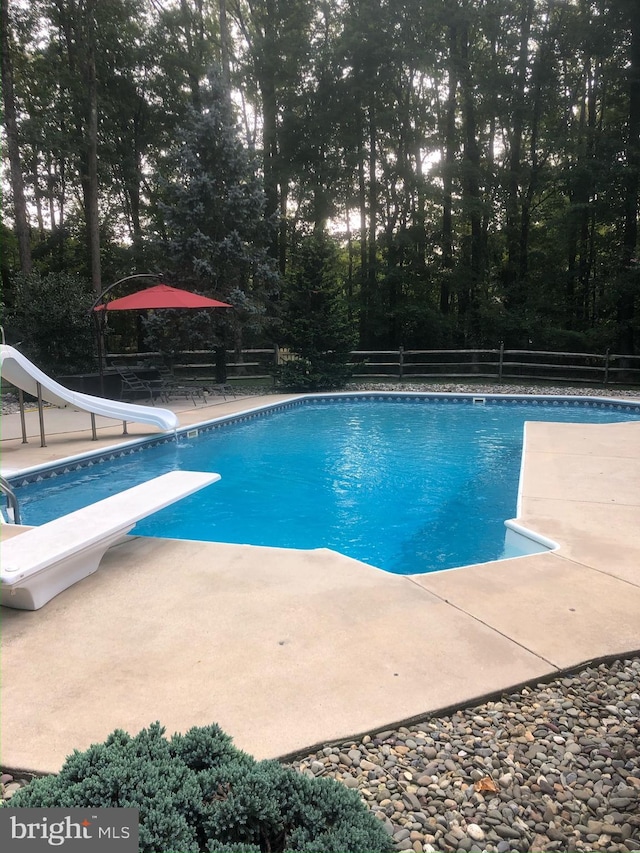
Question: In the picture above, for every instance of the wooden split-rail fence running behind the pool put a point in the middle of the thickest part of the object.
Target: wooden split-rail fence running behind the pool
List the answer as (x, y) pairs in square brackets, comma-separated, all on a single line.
[(499, 363)]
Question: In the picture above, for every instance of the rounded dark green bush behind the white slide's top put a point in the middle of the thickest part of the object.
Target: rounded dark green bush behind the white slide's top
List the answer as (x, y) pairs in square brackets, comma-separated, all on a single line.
[(49, 316)]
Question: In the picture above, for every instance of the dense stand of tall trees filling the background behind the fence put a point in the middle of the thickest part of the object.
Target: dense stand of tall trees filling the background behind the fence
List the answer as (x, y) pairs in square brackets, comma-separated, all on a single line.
[(468, 171)]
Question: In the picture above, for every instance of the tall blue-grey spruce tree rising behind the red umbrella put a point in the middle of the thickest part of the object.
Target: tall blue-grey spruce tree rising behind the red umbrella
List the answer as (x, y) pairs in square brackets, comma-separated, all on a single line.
[(213, 211)]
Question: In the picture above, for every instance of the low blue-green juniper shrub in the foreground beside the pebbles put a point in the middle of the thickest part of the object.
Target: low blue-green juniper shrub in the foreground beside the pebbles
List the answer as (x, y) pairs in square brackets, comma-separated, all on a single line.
[(197, 793)]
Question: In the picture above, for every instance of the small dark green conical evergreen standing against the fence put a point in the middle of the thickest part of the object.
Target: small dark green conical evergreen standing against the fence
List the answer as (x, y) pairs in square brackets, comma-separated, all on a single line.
[(316, 323)]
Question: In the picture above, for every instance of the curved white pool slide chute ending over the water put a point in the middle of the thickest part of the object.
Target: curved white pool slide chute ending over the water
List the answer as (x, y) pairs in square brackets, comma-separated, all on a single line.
[(19, 371)]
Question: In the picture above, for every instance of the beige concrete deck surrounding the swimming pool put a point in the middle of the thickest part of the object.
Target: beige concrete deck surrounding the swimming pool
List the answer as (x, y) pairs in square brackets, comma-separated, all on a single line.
[(288, 649)]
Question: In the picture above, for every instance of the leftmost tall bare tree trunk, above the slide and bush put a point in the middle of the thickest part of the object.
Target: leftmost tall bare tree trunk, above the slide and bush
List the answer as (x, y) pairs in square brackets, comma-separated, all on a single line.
[(11, 127)]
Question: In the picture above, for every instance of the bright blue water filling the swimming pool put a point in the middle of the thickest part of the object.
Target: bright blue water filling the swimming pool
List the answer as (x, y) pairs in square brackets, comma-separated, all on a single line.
[(408, 485)]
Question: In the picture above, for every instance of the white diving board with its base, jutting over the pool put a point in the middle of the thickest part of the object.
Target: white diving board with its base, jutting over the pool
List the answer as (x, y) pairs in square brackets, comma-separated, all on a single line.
[(43, 561)]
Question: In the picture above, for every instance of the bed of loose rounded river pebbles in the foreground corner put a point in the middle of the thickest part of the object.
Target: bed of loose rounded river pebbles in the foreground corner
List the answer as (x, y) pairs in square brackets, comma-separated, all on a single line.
[(555, 766)]
